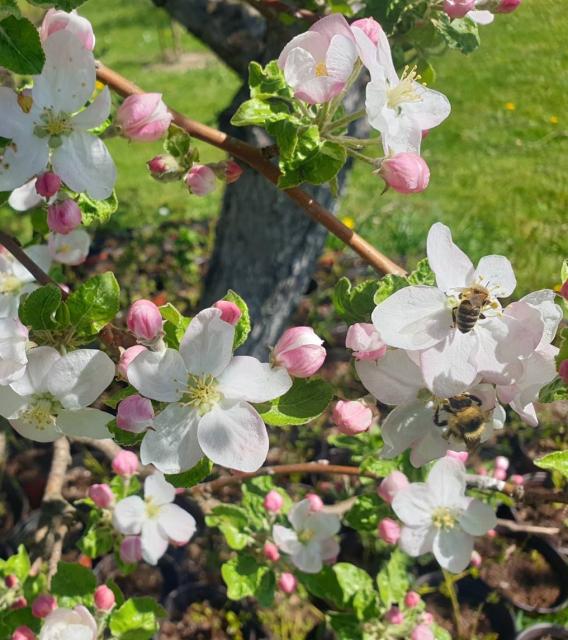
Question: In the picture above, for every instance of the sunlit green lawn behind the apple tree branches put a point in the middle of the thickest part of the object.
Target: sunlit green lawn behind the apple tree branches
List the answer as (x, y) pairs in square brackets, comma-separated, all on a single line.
[(498, 169)]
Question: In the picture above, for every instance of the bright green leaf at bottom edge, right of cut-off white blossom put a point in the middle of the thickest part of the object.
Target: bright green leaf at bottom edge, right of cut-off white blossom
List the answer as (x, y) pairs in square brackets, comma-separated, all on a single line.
[(136, 619)]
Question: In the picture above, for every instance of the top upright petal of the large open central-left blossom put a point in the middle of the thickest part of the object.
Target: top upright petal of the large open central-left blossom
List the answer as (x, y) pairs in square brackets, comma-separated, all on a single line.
[(207, 346)]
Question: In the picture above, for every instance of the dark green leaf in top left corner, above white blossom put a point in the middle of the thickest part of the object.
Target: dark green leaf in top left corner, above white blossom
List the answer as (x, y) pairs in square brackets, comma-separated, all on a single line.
[(20, 46)]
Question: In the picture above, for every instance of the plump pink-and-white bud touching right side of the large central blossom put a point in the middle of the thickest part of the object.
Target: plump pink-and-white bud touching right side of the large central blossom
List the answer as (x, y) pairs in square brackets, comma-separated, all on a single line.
[(300, 351)]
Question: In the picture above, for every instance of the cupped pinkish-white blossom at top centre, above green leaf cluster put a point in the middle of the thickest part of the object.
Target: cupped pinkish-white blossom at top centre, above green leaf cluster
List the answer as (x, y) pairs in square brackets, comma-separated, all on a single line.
[(318, 63)]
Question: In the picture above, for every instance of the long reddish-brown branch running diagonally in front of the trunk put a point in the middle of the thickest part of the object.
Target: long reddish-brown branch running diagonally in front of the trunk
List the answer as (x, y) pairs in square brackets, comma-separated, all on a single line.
[(255, 158)]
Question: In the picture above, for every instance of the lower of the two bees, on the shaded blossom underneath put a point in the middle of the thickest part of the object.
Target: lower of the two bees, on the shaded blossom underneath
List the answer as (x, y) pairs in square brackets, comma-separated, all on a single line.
[(465, 419)]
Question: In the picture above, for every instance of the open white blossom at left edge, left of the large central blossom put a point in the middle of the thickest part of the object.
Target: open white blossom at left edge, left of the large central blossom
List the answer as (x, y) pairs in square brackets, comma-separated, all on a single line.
[(51, 398)]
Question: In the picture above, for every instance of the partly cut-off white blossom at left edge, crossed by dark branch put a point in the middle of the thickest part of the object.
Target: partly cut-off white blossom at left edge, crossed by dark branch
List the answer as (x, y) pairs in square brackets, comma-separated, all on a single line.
[(16, 280)]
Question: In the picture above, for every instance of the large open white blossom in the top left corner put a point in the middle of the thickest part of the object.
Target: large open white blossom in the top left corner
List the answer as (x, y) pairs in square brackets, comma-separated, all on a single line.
[(56, 127)]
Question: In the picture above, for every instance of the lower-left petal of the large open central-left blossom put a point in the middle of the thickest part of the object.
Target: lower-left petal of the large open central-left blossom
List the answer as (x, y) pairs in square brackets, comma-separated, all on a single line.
[(172, 446)]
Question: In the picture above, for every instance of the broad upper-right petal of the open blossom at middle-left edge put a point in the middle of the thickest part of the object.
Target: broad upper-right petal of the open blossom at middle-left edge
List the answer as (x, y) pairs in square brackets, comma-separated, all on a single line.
[(79, 377)]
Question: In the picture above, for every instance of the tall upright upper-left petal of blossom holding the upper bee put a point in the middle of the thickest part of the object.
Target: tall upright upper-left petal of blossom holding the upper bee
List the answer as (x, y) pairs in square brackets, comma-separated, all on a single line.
[(451, 266)]
